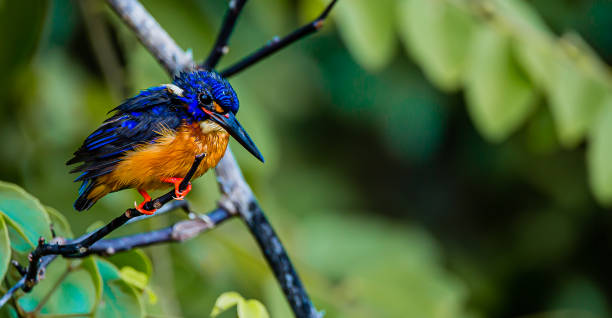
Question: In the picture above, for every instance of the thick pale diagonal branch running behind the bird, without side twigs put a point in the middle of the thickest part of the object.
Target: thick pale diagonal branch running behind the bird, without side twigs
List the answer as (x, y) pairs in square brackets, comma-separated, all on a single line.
[(237, 195)]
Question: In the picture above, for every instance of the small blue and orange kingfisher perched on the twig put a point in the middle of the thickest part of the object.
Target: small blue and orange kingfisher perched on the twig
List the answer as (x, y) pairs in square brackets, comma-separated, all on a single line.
[(152, 138)]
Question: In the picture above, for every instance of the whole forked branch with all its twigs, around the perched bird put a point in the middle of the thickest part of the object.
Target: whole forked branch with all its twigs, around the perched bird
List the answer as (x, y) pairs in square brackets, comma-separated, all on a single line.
[(237, 196)]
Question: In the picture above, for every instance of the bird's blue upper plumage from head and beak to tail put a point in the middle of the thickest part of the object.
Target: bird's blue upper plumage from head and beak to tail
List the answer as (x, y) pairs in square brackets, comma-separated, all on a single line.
[(191, 98)]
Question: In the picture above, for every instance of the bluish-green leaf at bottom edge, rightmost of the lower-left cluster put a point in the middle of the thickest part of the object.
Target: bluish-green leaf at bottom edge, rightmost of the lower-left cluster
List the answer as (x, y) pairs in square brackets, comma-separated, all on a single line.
[(119, 299)]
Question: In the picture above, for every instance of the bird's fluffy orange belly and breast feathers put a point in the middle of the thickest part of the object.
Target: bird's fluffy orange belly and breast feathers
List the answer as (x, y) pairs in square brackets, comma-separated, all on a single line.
[(170, 156)]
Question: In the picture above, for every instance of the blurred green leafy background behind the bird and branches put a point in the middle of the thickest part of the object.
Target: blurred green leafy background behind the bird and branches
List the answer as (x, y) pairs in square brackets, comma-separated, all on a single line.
[(423, 158)]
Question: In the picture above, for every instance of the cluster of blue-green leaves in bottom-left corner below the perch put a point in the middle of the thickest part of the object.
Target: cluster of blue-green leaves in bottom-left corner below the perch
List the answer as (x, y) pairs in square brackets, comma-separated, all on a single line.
[(91, 287)]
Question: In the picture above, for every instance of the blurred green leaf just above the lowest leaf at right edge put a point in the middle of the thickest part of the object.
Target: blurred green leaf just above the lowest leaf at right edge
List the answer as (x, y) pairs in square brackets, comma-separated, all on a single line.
[(576, 97)]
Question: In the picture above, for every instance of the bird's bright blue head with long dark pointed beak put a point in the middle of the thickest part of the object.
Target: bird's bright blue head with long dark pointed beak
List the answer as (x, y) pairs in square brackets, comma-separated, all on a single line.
[(208, 96)]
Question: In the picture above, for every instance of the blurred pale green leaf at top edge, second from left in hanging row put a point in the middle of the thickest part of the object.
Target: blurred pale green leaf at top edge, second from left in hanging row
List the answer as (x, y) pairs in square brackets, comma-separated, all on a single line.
[(442, 47)]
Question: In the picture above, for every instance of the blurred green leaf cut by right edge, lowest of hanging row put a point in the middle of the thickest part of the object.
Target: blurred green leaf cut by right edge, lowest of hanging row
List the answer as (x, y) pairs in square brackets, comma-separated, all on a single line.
[(599, 156)]
